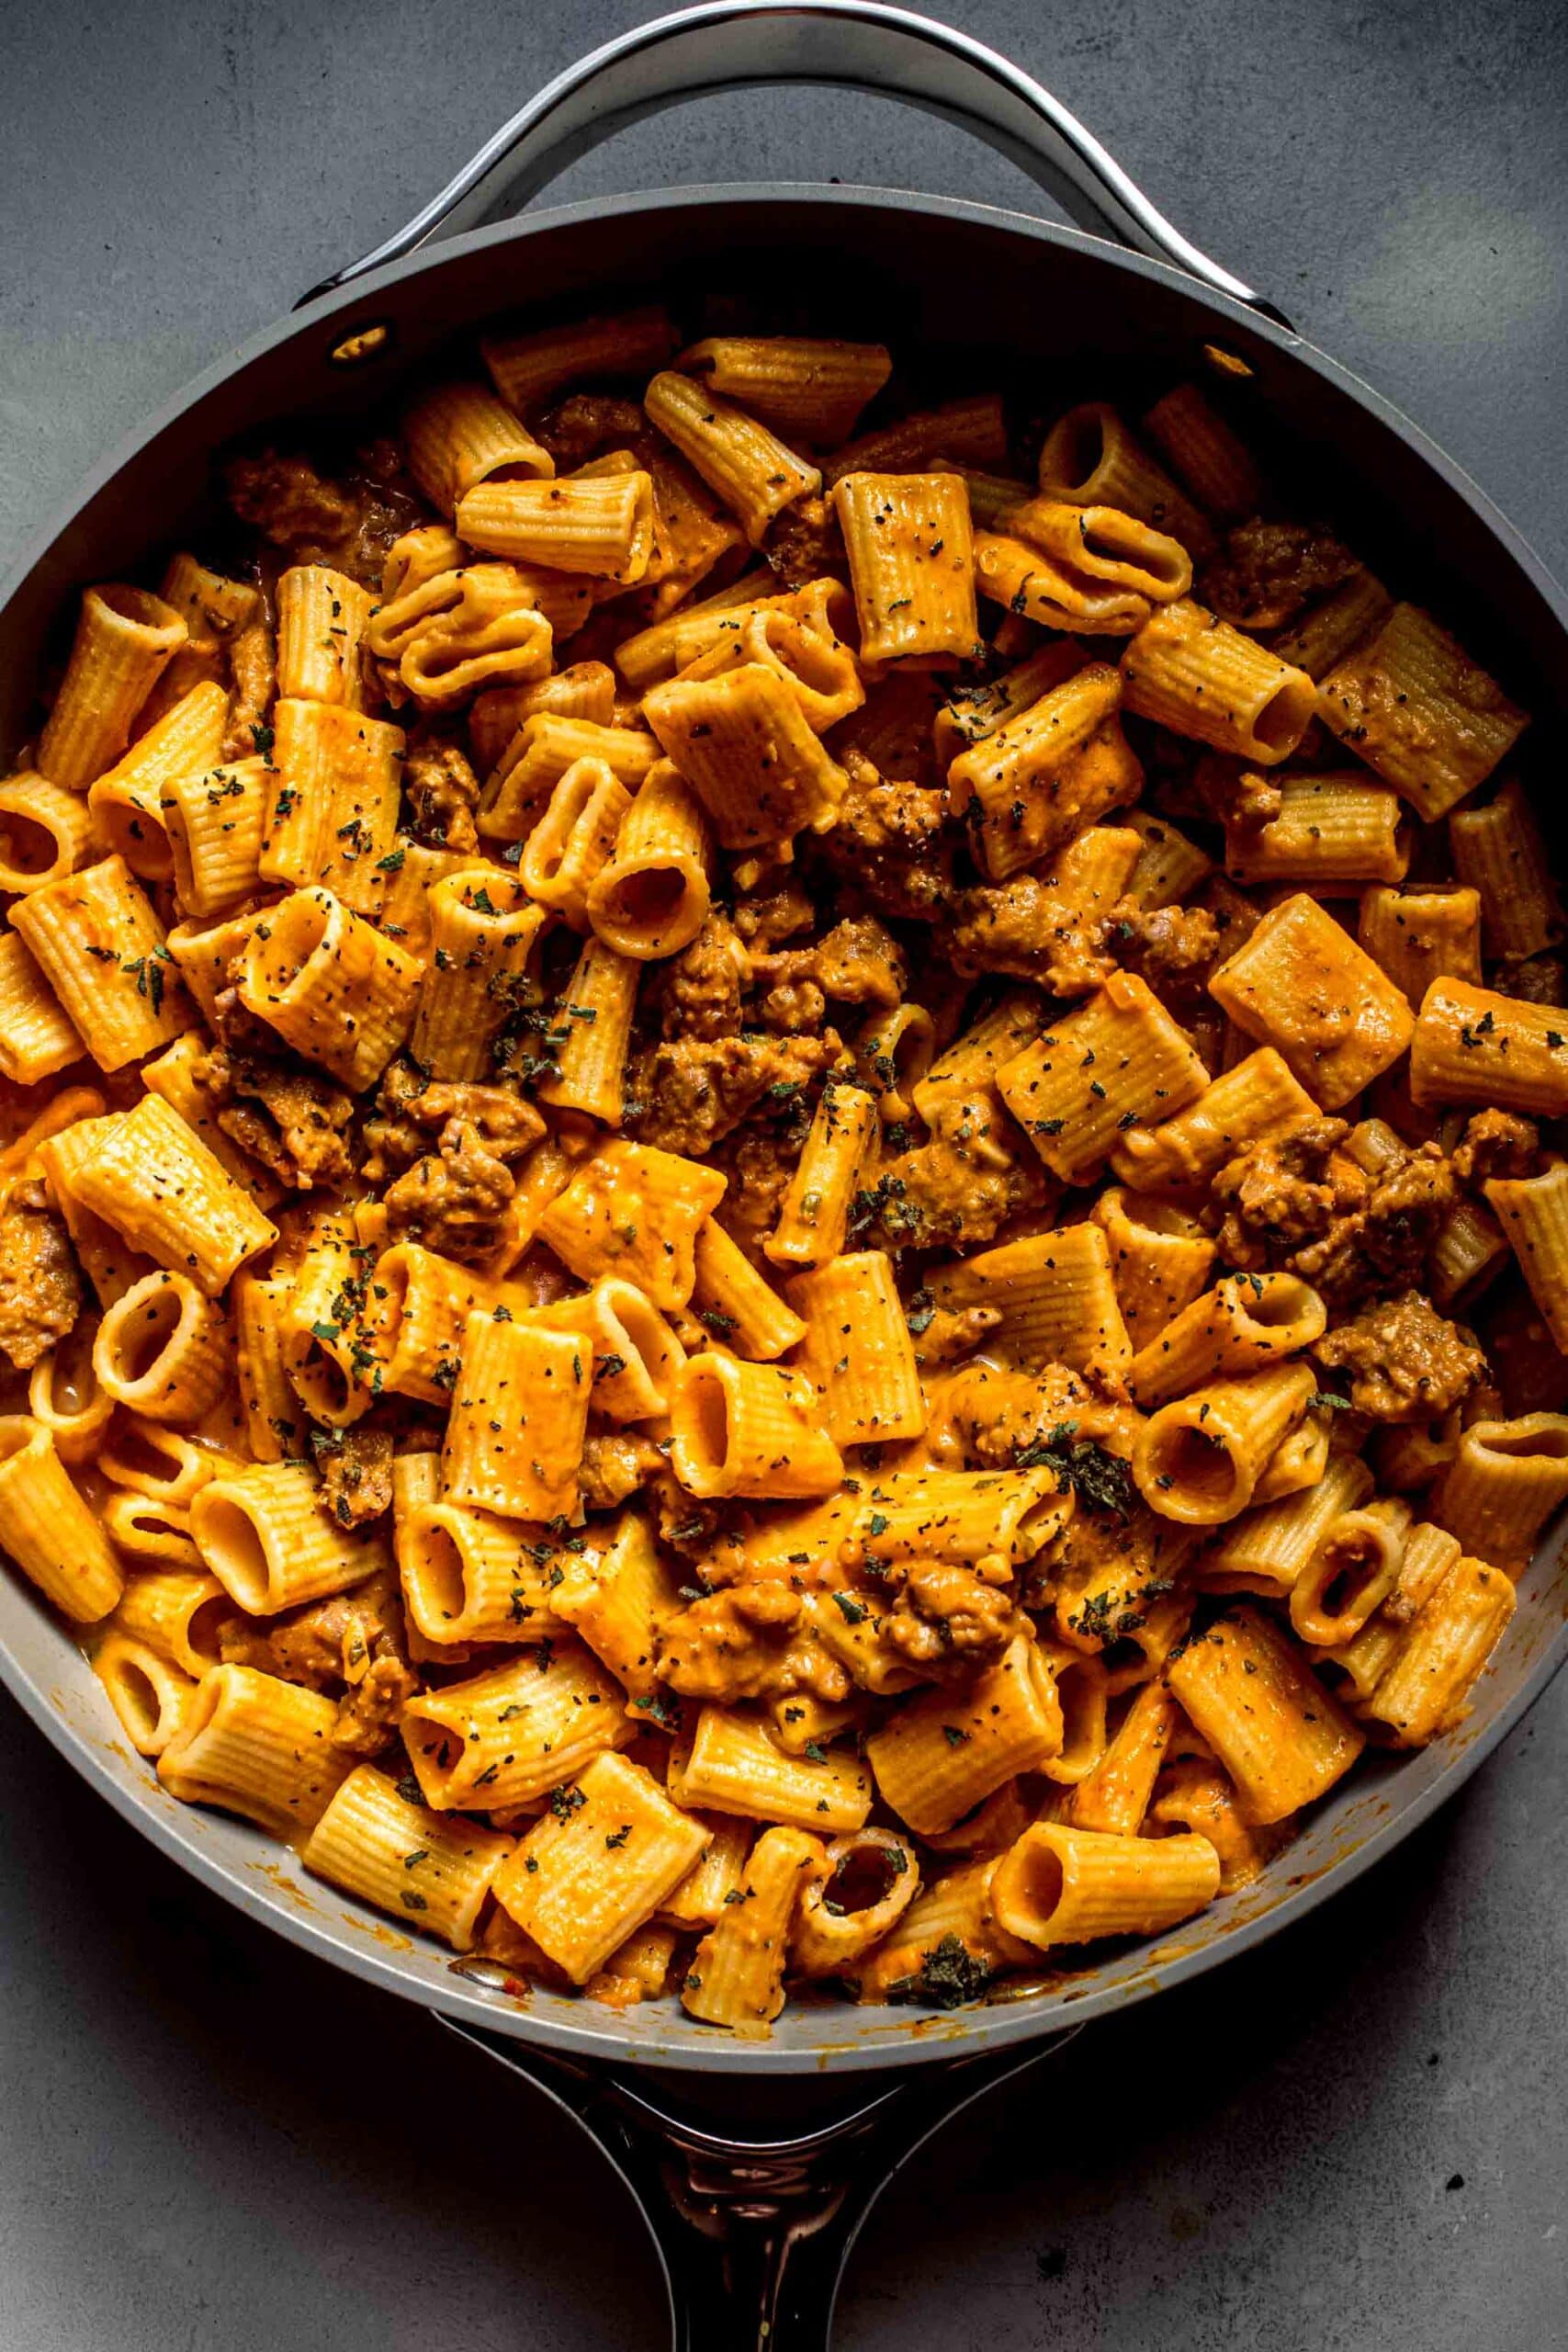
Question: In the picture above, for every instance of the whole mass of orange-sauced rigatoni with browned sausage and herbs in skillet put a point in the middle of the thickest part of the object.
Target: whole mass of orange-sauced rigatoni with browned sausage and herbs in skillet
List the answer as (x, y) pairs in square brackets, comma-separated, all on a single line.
[(763, 1217)]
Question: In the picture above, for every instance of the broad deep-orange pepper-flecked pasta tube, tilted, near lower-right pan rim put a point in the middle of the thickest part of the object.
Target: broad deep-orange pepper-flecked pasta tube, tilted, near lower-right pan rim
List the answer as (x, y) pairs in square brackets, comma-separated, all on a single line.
[(1271, 1723)]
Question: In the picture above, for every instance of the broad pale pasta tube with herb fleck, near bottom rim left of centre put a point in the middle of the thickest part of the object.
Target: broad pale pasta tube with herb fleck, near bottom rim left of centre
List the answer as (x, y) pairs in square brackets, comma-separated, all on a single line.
[(596, 1871)]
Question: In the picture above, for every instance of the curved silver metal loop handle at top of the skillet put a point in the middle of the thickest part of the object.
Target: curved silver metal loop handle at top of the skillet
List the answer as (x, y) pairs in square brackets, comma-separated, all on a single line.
[(847, 44)]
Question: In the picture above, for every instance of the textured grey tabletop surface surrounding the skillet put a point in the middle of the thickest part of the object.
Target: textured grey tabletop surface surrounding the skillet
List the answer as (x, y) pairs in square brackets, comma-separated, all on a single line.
[(1355, 2141)]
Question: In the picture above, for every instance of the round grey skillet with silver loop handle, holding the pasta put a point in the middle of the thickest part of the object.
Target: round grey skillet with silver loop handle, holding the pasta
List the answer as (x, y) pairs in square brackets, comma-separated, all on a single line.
[(977, 298)]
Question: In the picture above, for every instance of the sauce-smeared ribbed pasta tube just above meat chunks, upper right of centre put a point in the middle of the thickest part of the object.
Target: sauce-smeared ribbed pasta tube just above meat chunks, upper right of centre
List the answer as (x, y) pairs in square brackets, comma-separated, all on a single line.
[(1050, 773)]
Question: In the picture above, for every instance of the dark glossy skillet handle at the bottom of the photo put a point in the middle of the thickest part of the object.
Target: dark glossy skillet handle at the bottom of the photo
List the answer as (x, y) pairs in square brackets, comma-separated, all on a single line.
[(756, 2200)]
